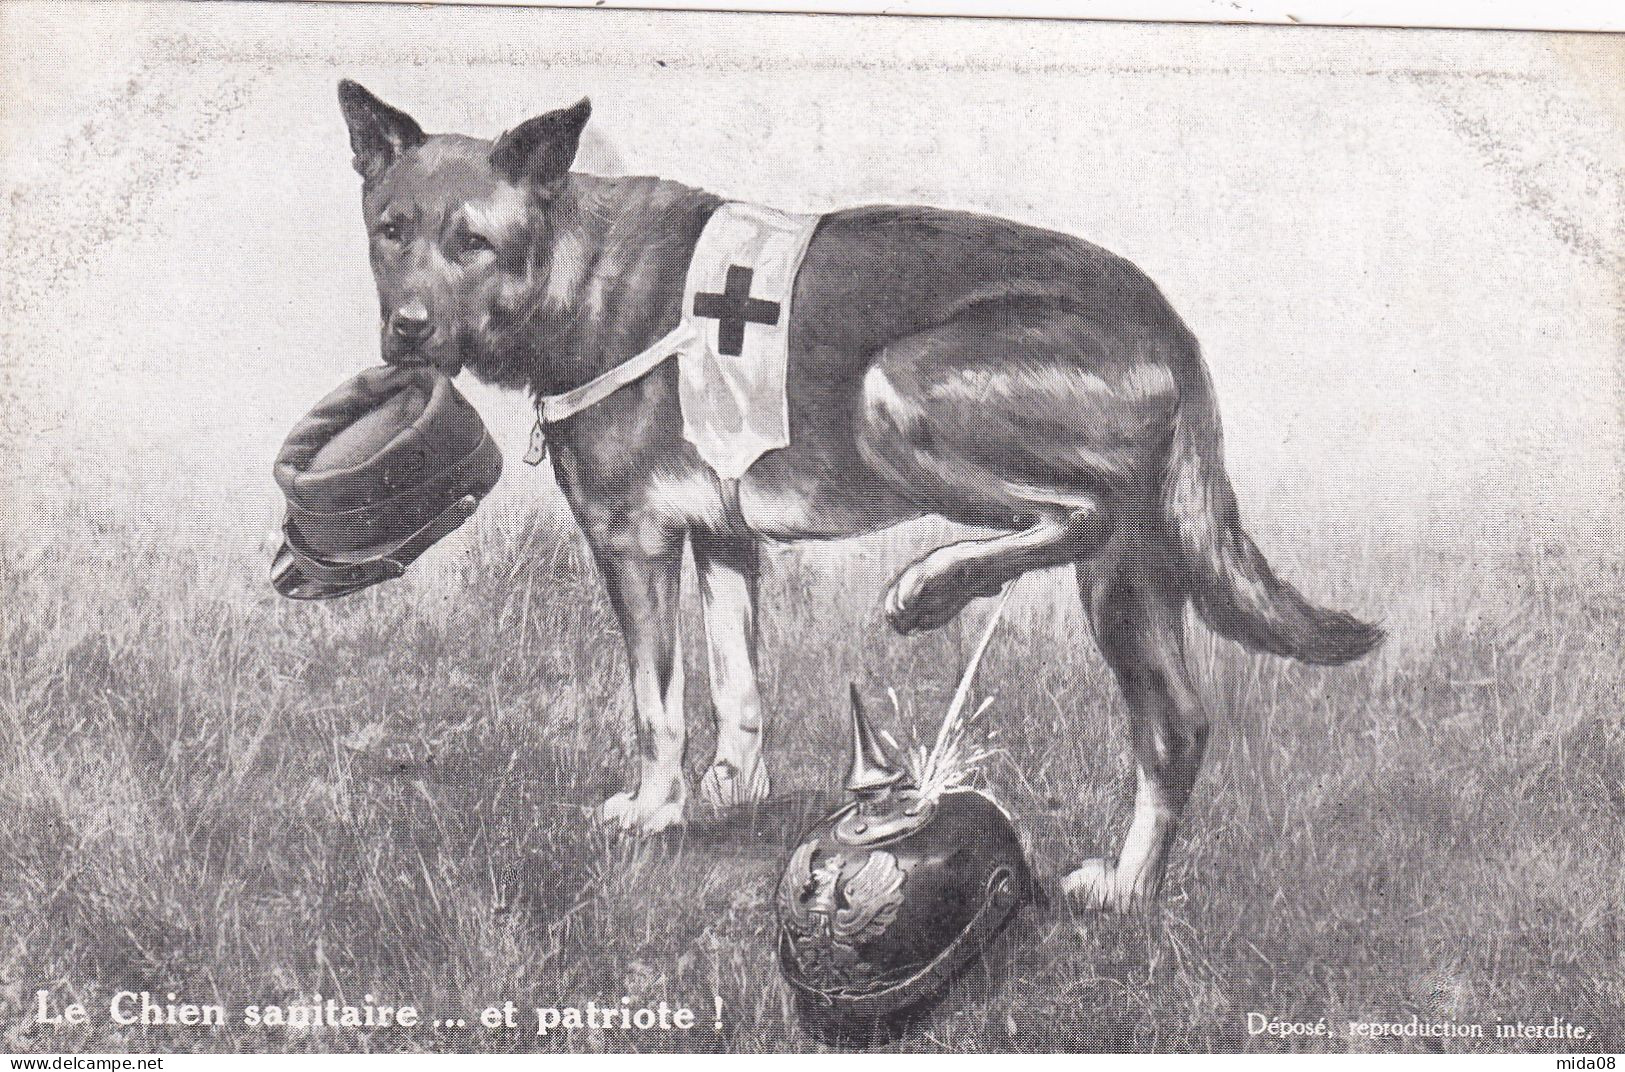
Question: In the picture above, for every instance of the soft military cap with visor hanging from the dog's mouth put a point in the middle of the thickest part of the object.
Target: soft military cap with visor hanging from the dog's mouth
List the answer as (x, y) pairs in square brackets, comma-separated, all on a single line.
[(378, 473)]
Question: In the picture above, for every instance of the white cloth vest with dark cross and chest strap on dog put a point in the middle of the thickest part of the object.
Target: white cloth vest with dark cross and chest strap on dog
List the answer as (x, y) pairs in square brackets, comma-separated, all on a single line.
[(732, 345)]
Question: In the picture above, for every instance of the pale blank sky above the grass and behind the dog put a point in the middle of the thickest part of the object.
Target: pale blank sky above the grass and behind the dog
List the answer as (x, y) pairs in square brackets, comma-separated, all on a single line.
[(1402, 249)]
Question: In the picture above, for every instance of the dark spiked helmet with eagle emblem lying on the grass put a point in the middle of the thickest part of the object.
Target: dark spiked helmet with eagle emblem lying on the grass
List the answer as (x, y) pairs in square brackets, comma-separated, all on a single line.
[(888, 899)]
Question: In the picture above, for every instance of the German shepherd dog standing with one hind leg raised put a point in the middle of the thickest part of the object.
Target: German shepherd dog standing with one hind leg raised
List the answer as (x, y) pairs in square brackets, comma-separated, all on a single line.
[(942, 363)]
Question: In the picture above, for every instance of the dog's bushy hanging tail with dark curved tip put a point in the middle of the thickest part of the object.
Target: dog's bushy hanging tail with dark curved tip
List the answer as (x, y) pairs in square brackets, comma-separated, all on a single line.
[(1228, 576)]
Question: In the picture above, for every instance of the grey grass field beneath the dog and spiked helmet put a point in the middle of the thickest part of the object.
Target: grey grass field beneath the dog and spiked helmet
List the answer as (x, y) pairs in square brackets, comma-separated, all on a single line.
[(212, 792)]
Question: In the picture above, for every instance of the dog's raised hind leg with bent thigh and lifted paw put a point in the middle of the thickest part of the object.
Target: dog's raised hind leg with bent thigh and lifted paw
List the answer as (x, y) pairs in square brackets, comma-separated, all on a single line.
[(1025, 418)]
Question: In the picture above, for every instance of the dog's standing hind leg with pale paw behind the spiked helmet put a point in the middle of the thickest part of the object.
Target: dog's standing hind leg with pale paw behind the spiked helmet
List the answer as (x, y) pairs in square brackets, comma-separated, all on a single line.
[(1140, 625)]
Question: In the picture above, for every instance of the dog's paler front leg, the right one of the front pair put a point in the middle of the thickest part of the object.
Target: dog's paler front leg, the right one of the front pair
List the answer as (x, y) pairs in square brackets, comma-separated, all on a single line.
[(729, 569)]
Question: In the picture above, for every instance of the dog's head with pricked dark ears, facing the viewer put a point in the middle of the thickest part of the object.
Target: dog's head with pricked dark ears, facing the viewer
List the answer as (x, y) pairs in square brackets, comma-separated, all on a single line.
[(461, 230)]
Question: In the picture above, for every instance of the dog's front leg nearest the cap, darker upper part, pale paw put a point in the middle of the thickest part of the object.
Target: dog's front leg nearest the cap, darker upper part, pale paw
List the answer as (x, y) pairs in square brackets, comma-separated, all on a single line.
[(644, 594)]
